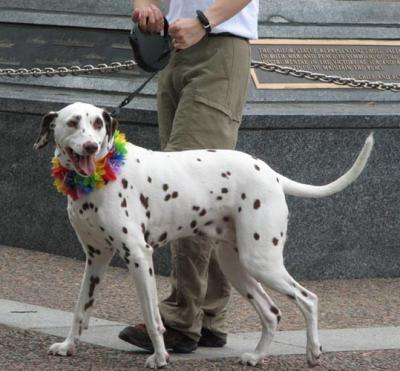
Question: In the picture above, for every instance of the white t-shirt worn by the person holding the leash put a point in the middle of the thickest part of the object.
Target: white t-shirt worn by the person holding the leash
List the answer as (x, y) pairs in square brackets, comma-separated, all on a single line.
[(242, 24)]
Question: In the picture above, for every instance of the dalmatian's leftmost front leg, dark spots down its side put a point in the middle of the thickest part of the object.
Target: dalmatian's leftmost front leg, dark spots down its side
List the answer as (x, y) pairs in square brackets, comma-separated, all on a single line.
[(96, 265)]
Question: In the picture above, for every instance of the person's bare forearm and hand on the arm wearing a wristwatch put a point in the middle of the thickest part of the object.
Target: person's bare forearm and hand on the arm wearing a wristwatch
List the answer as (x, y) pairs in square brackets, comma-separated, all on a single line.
[(189, 31)]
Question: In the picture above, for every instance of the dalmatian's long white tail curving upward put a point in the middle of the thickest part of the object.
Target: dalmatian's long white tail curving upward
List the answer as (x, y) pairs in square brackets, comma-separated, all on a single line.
[(293, 188)]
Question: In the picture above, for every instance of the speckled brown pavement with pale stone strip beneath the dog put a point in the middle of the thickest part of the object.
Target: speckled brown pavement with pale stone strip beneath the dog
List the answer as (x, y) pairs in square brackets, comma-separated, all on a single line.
[(359, 322)]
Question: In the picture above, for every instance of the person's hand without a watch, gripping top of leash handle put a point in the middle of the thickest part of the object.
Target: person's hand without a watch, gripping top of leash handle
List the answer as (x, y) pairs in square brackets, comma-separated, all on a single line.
[(148, 14)]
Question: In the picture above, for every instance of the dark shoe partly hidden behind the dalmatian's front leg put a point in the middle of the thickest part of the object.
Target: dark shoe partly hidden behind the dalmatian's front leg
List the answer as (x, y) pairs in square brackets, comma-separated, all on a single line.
[(173, 339)]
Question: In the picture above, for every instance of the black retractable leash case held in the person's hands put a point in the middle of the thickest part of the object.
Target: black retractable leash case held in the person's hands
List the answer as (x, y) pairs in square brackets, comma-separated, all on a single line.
[(151, 51)]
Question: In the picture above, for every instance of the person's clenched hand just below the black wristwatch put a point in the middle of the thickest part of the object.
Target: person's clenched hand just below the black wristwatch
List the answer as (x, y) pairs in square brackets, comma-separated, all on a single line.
[(186, 32)]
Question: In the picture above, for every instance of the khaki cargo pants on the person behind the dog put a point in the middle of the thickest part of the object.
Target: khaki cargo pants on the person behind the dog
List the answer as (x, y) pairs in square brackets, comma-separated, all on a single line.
[(201, 94)]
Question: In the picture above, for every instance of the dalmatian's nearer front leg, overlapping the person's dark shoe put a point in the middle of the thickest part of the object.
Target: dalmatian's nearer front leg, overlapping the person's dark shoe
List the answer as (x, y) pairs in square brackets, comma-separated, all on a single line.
[(140, 263)]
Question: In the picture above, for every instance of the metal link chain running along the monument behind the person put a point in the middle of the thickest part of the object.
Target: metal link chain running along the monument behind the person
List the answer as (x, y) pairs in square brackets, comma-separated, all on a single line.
[(268, 67)]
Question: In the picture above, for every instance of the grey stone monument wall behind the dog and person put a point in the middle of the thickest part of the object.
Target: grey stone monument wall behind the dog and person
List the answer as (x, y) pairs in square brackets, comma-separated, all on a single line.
[(312, 136)]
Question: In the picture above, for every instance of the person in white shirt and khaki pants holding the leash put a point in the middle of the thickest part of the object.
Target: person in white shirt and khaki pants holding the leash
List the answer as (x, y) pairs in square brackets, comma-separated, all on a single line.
[(200, 99)]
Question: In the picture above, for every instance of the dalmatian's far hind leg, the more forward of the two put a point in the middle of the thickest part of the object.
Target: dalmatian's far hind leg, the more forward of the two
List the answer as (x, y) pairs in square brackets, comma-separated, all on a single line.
[(250, 289)]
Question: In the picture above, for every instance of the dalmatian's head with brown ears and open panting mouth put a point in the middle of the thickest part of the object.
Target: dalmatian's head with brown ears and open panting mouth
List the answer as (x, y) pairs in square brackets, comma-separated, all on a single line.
[(82, 133)]
